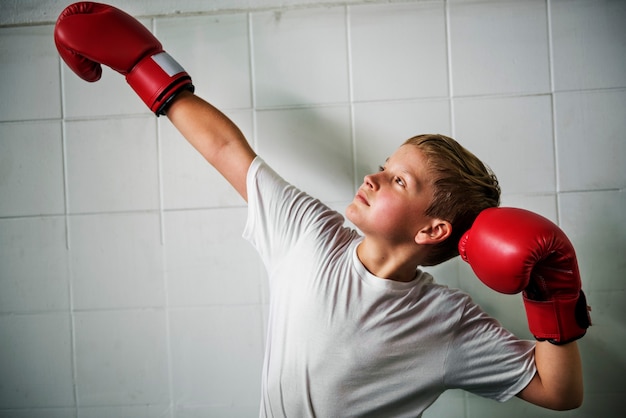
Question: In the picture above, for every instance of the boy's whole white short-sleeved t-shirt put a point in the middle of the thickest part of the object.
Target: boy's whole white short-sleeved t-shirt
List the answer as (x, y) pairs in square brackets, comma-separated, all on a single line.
[(344, 343)]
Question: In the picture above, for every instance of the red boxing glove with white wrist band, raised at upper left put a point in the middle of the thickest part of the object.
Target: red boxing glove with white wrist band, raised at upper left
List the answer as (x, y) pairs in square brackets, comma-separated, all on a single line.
[(88, 34)]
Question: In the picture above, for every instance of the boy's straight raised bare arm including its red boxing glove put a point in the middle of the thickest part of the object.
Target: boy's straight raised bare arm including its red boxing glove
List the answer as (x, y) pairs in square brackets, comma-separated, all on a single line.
[(89, 34)]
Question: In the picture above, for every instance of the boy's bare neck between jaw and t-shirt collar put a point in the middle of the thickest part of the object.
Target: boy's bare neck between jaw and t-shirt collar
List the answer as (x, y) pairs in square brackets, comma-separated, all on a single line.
[(397, 263)]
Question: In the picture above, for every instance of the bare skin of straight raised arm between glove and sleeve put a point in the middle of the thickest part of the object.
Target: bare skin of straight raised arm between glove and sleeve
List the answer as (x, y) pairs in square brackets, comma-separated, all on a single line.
[(214, 136)]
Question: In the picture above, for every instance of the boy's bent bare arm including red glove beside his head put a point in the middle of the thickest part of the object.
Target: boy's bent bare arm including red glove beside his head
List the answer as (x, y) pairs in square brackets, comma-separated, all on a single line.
[(513, 250)]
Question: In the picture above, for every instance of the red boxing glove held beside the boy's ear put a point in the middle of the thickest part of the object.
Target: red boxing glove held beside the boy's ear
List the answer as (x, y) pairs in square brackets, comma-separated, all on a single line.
[(513, 250)]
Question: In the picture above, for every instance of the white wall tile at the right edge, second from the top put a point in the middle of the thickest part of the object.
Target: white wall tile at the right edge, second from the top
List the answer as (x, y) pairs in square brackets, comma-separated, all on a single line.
[(591, 148)]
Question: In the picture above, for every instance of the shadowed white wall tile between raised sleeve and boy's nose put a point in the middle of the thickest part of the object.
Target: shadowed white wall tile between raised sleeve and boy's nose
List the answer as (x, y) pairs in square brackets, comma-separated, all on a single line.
[(311, 148)]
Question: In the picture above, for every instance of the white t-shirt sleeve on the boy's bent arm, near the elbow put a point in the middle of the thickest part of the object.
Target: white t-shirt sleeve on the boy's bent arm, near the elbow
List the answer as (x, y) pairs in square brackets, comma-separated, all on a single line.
[(486, 359)]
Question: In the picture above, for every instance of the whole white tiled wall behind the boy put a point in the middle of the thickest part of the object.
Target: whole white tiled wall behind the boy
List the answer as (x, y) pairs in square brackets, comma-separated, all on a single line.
[(126, 289)]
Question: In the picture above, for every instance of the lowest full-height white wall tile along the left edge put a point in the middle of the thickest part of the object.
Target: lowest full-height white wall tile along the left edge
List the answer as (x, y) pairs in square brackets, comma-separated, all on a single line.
[(35, 361)]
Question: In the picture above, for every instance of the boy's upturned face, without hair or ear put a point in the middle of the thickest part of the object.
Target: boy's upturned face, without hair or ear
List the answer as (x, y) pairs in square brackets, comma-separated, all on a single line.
[(391, 204)]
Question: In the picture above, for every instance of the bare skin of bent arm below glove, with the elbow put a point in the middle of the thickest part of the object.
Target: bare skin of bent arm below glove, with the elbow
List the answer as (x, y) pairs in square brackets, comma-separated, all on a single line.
[(558, 383)]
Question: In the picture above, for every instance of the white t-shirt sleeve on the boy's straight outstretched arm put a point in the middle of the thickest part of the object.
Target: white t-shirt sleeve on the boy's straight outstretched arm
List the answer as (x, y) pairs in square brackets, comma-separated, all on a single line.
[(279, 214)]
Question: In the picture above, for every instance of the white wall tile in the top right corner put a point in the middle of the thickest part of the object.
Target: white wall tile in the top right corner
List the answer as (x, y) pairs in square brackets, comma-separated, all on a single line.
[(589, 43)]
